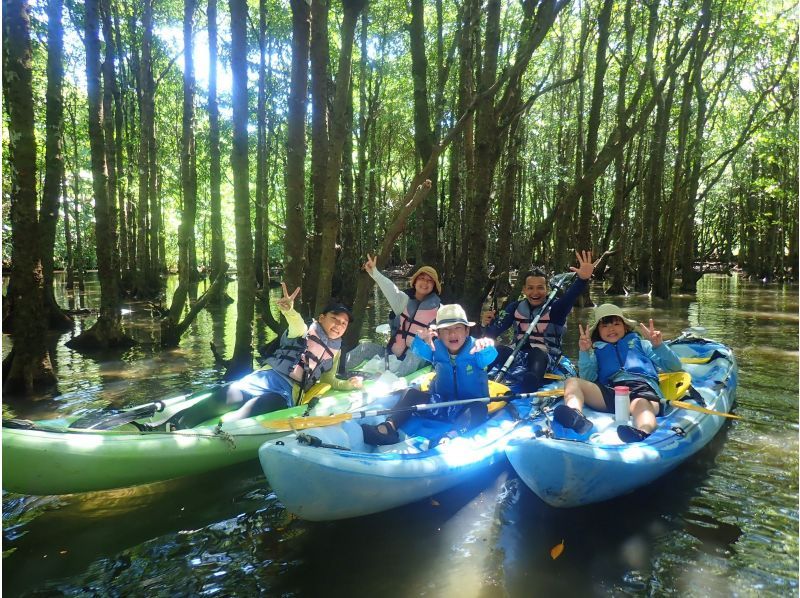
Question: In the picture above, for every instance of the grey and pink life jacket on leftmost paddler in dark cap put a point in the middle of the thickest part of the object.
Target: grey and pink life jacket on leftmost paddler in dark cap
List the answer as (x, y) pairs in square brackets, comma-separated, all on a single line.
[(305, 358)]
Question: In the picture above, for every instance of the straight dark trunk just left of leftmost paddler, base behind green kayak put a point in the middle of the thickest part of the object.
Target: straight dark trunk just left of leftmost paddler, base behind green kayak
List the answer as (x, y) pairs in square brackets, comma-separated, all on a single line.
[(242, 360)]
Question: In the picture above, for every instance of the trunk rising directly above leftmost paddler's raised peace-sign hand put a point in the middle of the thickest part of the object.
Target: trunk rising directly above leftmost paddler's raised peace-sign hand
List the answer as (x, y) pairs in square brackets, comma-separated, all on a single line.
[(294, 243)]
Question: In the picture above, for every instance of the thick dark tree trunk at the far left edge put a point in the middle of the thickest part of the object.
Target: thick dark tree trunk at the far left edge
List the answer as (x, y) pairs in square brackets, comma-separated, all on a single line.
[(28, 368)]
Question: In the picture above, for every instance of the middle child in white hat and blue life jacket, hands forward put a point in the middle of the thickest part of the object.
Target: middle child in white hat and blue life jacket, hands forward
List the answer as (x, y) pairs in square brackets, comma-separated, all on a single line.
[(459, 362)]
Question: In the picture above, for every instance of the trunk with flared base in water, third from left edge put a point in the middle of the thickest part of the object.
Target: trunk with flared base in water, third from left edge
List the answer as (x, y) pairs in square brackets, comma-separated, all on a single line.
[(107, 331)]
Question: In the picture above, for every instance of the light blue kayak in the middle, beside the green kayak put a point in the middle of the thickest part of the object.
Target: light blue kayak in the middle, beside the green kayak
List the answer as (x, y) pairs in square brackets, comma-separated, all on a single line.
[(344, 477)]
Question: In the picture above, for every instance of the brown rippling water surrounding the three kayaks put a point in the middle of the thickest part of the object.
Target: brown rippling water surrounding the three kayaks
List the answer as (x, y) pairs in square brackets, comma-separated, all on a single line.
[(725, 523)]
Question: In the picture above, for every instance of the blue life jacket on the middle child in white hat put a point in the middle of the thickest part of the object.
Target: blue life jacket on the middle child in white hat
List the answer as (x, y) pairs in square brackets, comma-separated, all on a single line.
[(458, 376)]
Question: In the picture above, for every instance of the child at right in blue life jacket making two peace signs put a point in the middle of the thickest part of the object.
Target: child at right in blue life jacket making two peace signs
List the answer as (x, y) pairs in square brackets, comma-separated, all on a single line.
[(612, 354)]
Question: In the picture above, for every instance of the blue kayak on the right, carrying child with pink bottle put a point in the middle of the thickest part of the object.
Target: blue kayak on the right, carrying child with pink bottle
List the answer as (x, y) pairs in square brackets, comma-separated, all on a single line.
[(566, 472)]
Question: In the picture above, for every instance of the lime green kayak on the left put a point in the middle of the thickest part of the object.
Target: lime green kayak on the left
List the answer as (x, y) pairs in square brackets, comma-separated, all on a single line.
[(55, 457)]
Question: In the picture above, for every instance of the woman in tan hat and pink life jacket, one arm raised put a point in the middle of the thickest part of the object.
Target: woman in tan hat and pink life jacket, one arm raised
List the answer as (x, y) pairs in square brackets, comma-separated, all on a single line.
[(416, 307)]
